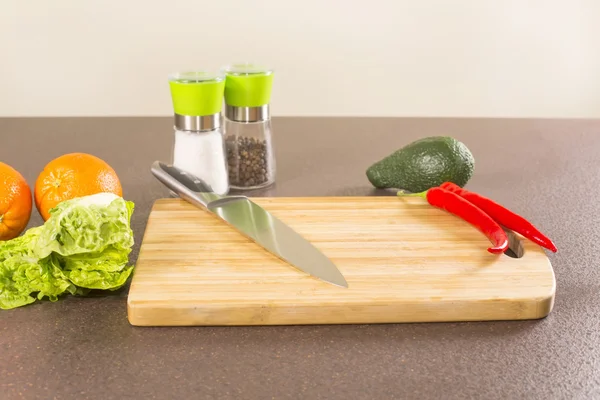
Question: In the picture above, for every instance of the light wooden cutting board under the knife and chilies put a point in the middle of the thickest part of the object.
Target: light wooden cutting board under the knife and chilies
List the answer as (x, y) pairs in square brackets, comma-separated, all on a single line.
[(404, 260)]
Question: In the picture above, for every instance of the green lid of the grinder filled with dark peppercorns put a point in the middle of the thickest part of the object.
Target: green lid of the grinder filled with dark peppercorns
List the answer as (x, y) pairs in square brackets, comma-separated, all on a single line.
[(248, 85)]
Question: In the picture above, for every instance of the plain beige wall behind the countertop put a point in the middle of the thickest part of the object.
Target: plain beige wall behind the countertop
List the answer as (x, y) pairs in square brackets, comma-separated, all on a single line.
[(510, 58)]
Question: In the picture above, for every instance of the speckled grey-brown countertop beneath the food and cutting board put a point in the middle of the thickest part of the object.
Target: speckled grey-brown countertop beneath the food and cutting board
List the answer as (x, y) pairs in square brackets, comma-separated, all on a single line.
[(546, 170)]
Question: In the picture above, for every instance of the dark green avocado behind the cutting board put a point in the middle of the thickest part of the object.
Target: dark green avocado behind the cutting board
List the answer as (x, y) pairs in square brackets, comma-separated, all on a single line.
[(423, 164)]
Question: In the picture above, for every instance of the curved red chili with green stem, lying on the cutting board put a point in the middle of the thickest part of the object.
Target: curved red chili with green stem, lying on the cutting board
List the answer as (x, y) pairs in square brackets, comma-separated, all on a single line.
[(456, 205)]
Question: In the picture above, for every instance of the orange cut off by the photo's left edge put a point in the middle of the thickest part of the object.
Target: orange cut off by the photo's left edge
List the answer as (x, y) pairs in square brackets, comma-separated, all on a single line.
[(15, 202)]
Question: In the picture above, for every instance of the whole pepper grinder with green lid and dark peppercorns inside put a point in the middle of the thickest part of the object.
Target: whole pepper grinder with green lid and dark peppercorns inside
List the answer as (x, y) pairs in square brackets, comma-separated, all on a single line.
[(248, 135)]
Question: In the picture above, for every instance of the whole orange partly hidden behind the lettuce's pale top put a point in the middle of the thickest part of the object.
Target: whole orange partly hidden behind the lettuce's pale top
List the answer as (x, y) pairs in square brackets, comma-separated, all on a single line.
[(73, 175)]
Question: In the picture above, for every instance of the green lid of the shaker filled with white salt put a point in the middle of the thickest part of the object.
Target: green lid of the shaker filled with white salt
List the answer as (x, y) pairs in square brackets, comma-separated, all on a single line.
[(197, 93)]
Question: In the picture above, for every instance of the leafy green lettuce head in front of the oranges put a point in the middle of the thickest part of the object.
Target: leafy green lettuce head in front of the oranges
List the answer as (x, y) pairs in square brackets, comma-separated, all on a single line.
[(84, 245)]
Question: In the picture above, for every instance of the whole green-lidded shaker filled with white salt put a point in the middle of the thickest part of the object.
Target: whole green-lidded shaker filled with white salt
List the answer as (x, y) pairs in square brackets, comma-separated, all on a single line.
[(199, 146)]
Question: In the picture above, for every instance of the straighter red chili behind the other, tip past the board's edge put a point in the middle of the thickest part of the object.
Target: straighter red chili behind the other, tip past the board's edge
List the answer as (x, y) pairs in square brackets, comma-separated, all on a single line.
[(502, 215)]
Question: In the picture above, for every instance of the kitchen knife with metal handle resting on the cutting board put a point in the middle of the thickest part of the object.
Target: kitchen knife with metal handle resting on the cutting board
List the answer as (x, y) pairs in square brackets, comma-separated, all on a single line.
[(253, 221)]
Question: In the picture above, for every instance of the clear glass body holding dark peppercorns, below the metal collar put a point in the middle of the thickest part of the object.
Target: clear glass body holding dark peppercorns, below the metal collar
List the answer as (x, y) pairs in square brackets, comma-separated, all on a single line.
[(250, 154)]
